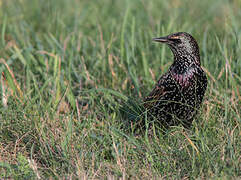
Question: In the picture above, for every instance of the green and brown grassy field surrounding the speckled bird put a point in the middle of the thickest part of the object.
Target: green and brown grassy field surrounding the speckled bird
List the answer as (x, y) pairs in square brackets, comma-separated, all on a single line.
[(68, 66)]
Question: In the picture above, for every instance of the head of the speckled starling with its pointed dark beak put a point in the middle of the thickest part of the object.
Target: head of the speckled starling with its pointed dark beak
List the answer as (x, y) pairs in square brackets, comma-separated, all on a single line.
[(182, 44)]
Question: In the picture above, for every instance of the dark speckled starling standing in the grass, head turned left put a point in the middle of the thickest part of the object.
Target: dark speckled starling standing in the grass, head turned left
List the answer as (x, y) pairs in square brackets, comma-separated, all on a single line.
[(178, 94)]
